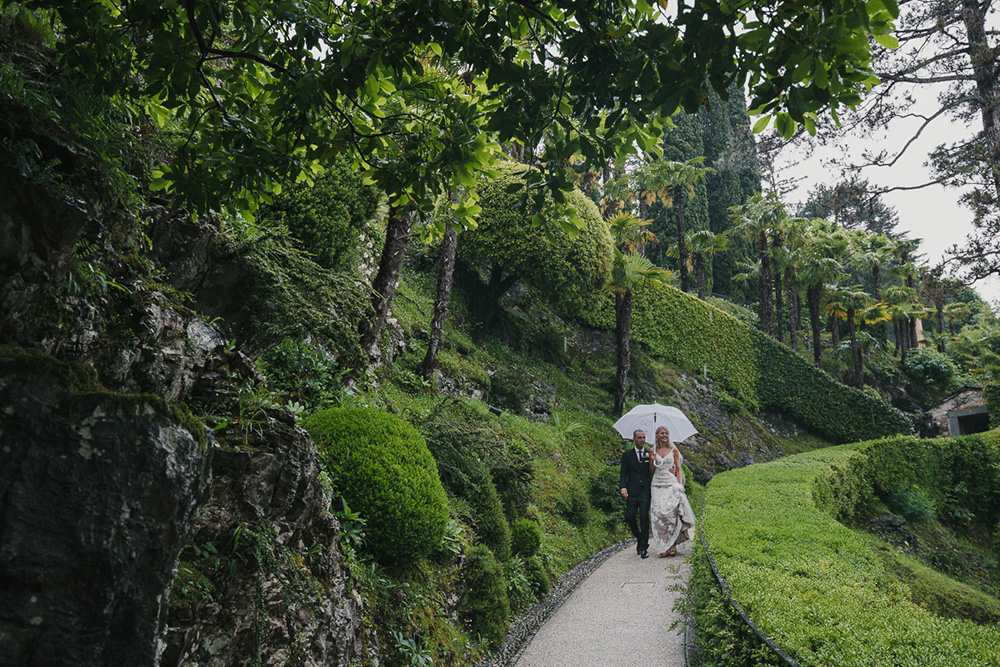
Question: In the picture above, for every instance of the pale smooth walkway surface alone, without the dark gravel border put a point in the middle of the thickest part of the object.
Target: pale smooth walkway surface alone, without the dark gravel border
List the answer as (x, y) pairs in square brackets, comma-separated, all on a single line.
[(619, 616)]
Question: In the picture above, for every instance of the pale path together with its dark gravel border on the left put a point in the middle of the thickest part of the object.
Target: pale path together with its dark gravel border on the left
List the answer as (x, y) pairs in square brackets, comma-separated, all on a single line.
[(613, 609)]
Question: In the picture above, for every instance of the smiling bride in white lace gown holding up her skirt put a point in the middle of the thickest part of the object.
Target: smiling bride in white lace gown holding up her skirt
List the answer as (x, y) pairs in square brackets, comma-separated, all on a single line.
[(671, 516)]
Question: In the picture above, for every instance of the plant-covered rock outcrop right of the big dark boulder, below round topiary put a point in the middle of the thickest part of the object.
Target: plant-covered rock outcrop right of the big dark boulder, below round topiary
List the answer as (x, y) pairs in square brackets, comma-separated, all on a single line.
[(275, 590)]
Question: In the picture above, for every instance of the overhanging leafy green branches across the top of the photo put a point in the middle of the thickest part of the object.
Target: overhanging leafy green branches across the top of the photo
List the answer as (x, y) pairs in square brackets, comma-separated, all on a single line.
[(420, 94)]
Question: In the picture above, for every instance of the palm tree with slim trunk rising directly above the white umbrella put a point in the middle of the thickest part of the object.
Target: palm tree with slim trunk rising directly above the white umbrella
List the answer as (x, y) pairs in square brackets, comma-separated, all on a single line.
[(631, 271)]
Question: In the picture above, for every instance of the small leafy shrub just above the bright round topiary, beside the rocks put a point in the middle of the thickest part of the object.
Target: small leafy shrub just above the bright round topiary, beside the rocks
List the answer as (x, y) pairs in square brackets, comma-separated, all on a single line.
[(303, 372)]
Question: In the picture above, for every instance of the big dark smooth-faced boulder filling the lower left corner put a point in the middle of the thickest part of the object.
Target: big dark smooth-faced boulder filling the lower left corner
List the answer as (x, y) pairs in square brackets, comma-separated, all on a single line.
[(96, 493)]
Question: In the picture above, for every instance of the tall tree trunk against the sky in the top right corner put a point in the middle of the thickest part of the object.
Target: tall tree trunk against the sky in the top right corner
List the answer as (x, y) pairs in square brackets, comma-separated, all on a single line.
[(984, 71)]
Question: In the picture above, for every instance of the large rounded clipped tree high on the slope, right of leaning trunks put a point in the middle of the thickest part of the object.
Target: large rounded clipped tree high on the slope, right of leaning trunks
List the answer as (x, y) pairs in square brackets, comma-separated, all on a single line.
[(567, 270)]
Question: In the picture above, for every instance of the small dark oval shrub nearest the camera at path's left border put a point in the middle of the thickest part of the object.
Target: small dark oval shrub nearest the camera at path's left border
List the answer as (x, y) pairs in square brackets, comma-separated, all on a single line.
[(484, 607)]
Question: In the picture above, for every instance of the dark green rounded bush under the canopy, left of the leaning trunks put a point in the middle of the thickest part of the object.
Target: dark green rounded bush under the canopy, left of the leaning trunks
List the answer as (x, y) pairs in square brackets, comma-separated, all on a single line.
[(327, 217)]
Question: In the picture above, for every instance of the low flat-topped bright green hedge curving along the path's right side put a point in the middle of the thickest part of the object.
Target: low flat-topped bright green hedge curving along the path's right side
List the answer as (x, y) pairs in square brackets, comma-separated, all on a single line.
[(821, 590)]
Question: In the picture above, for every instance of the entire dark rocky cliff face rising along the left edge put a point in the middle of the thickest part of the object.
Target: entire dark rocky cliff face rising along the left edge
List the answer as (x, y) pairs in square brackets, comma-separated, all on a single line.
[(128, 534)]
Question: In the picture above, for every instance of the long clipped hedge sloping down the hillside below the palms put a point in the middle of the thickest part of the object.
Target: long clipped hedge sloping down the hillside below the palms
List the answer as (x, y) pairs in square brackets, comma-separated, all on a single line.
[(756, 369)]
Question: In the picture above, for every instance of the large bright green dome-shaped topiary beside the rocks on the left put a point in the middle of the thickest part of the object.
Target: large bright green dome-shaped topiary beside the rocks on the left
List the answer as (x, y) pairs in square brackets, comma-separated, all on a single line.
[(383, 469)]
